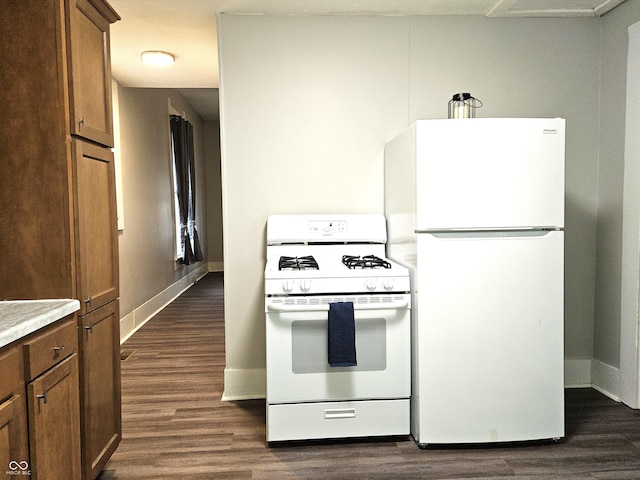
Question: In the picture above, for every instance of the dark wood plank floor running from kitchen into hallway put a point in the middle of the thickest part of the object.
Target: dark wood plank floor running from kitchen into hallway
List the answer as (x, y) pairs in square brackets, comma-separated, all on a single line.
[(176, 427)]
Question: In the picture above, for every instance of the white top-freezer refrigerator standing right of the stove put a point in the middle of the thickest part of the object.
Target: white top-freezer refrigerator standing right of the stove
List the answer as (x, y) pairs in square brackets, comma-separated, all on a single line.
[(475, 210)]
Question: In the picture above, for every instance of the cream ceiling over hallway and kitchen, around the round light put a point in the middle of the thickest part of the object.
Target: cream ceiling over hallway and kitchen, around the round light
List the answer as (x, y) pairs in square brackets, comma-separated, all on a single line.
[(187, 29)]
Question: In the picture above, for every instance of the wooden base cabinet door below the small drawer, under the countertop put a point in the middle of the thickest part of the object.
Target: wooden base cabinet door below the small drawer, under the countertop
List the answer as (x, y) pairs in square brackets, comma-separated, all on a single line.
[(54, 422)]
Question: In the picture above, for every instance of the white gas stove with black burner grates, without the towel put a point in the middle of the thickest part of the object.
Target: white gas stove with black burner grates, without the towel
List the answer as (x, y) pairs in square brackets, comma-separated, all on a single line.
[(305, 273)]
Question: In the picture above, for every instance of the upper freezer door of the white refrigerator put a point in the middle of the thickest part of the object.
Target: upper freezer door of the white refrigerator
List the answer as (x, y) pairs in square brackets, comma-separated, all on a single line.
[(489, 173)]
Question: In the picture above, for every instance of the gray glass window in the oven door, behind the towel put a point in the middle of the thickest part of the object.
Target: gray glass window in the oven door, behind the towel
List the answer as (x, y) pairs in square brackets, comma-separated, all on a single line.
[(309, 346)]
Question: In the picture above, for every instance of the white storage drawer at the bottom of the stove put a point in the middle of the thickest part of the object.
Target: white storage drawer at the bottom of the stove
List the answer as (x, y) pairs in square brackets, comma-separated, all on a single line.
[(367, 418)]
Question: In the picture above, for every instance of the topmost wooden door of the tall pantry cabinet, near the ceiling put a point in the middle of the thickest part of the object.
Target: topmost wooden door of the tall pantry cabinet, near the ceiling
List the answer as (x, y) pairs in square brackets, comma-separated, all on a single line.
[(90, 68)]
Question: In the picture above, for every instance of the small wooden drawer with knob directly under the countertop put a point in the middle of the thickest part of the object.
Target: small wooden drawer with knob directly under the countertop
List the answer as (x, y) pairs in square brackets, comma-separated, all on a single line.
[(44, 351)]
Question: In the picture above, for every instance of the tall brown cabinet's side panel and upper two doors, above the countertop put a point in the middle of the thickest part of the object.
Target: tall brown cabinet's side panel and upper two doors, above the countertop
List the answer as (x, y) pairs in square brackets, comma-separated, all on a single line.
[(43, 168)]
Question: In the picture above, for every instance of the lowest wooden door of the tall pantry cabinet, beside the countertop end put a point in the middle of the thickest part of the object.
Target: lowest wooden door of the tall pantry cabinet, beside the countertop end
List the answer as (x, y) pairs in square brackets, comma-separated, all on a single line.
[(100, 387)]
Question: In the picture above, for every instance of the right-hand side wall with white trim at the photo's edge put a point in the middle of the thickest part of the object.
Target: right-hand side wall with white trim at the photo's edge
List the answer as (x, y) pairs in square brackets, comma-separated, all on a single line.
[(616, 319)]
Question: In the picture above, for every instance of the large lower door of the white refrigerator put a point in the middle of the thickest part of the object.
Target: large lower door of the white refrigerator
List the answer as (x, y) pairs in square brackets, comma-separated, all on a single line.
[(488, 332)]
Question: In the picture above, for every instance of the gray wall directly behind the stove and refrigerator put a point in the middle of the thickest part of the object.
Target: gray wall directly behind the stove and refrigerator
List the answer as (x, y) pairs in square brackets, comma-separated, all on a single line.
[(318, 97)]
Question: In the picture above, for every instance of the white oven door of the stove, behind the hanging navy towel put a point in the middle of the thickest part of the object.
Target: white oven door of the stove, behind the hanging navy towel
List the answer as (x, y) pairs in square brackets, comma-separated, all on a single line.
[(297, 346)]
